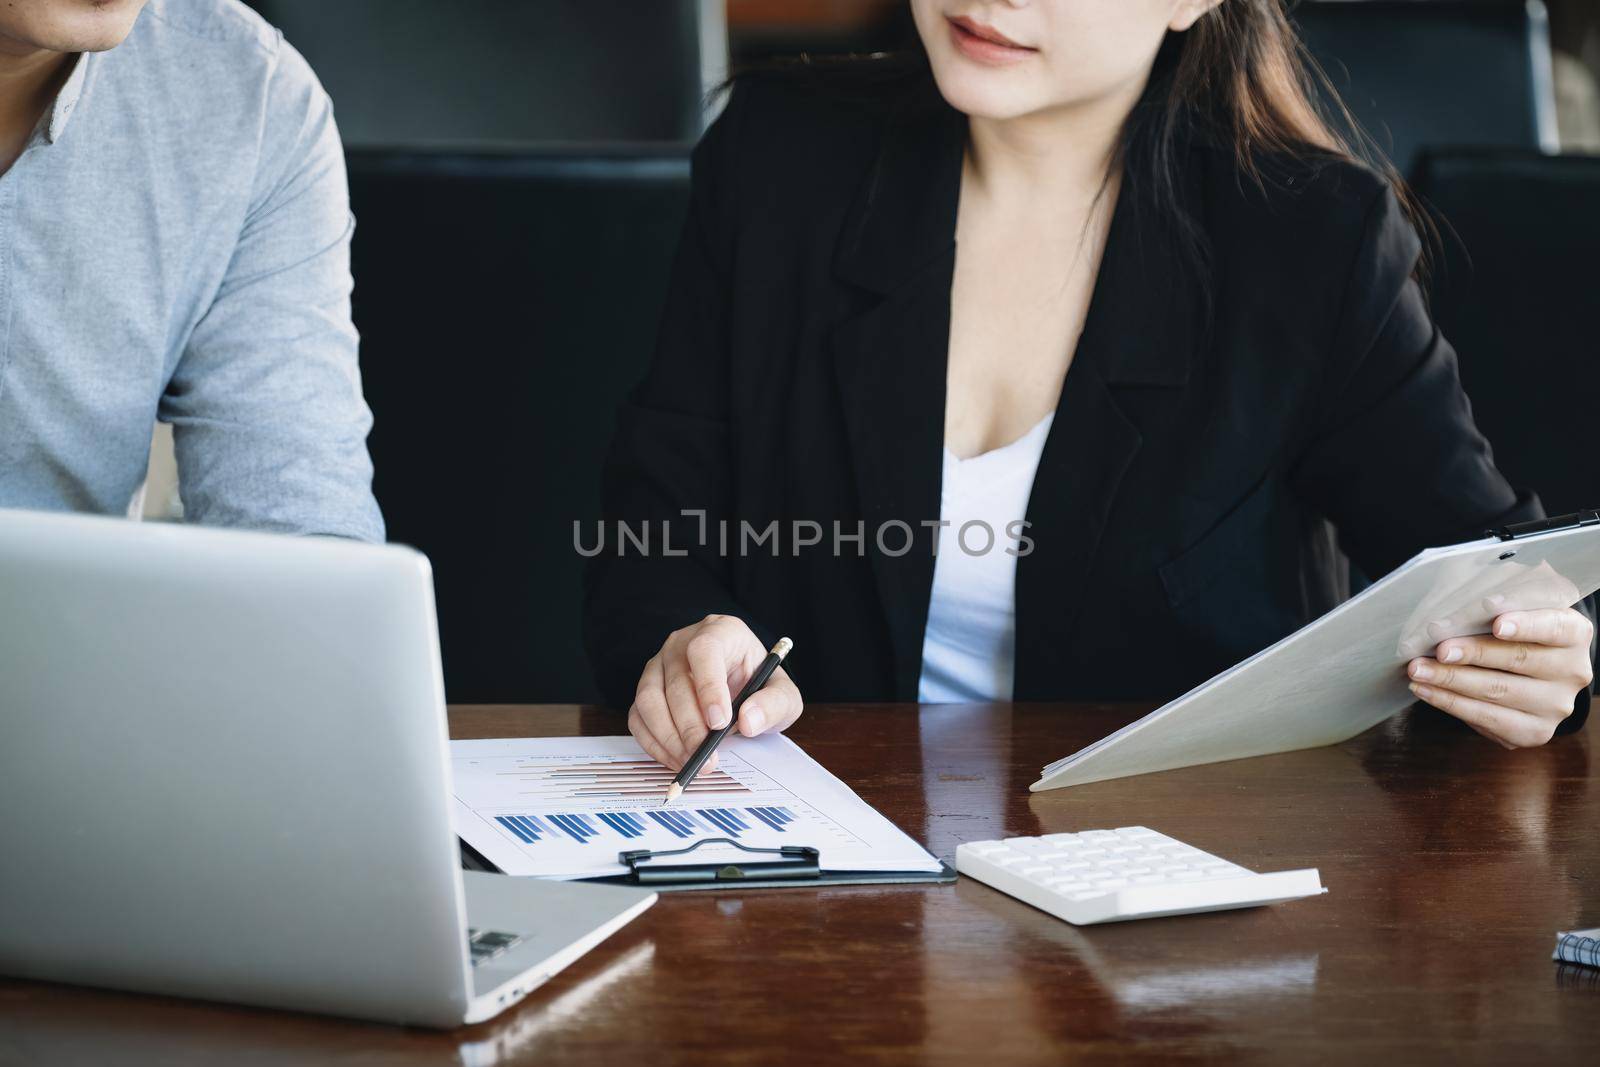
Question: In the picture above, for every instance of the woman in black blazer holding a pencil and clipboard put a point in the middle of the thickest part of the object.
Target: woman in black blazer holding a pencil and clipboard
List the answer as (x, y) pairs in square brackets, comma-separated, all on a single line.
[(1119, 212)]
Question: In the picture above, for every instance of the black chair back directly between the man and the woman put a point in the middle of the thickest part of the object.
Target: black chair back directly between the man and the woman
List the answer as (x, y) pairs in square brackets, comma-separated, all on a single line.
[(506, 305)]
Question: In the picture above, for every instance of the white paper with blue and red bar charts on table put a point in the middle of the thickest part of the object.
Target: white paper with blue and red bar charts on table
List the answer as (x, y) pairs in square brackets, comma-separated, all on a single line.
[(566, 807)]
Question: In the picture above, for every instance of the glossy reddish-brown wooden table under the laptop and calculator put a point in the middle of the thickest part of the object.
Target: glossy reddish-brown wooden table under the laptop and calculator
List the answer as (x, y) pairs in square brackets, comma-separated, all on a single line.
[(1450, 866)]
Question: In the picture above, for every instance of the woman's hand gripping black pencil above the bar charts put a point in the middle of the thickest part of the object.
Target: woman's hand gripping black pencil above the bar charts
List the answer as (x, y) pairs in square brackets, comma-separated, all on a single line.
[(687, 692)]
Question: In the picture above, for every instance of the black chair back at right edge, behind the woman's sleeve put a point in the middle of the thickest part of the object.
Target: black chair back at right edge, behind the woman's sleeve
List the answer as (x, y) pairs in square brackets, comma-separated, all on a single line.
[(1516, 294)]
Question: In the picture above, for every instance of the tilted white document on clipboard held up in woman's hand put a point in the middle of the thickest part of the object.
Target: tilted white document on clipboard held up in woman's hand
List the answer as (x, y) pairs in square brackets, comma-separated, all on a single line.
[(1346, 673)]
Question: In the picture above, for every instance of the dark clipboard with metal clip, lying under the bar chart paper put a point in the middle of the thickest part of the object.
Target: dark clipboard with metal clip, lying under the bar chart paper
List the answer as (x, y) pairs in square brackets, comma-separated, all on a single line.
[(796, 868)]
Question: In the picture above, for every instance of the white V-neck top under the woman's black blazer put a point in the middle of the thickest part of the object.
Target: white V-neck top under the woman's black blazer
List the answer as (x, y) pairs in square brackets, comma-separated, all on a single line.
[(969, 650)]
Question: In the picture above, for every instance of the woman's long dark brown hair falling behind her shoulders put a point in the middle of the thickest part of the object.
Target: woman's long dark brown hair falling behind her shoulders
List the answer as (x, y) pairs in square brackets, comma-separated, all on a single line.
[(1239, 78)]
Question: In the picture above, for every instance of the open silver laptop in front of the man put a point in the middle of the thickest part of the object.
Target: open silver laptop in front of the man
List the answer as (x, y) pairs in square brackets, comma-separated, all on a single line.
[(225, 775)]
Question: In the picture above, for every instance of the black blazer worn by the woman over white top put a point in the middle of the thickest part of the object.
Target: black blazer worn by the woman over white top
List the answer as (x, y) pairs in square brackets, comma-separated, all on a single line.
[(1212, 462)]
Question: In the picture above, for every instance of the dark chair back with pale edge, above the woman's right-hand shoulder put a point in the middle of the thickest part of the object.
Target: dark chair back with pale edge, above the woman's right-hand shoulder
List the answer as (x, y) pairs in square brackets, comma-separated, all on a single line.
[(1438, 73)]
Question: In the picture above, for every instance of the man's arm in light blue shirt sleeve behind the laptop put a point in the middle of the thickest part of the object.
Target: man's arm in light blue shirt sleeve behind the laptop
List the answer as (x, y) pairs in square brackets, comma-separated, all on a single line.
[(266, 404)]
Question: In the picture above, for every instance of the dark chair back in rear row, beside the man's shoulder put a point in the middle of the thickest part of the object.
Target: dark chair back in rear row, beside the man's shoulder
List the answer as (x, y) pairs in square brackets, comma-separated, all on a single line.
[(479, 74)]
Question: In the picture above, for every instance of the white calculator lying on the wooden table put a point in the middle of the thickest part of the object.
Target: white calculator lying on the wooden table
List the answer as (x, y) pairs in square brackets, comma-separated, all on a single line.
[(1134, 873)]
